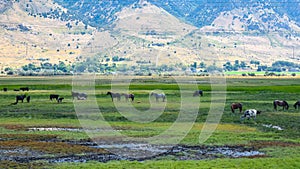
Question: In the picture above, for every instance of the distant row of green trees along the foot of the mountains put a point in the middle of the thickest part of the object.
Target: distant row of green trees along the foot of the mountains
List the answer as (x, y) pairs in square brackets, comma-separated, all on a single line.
[(93, 64)]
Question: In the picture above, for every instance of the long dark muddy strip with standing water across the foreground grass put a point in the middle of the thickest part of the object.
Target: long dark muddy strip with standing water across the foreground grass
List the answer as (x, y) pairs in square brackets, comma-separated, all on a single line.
[(103, 153)]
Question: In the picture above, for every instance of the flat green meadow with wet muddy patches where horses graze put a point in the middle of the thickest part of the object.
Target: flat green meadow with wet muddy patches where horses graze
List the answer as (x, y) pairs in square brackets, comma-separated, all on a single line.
[(96, 132)]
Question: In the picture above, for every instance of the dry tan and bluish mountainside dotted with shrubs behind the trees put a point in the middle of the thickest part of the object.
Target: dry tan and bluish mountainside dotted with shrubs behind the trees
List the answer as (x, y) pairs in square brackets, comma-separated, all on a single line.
[(148, 32)]
